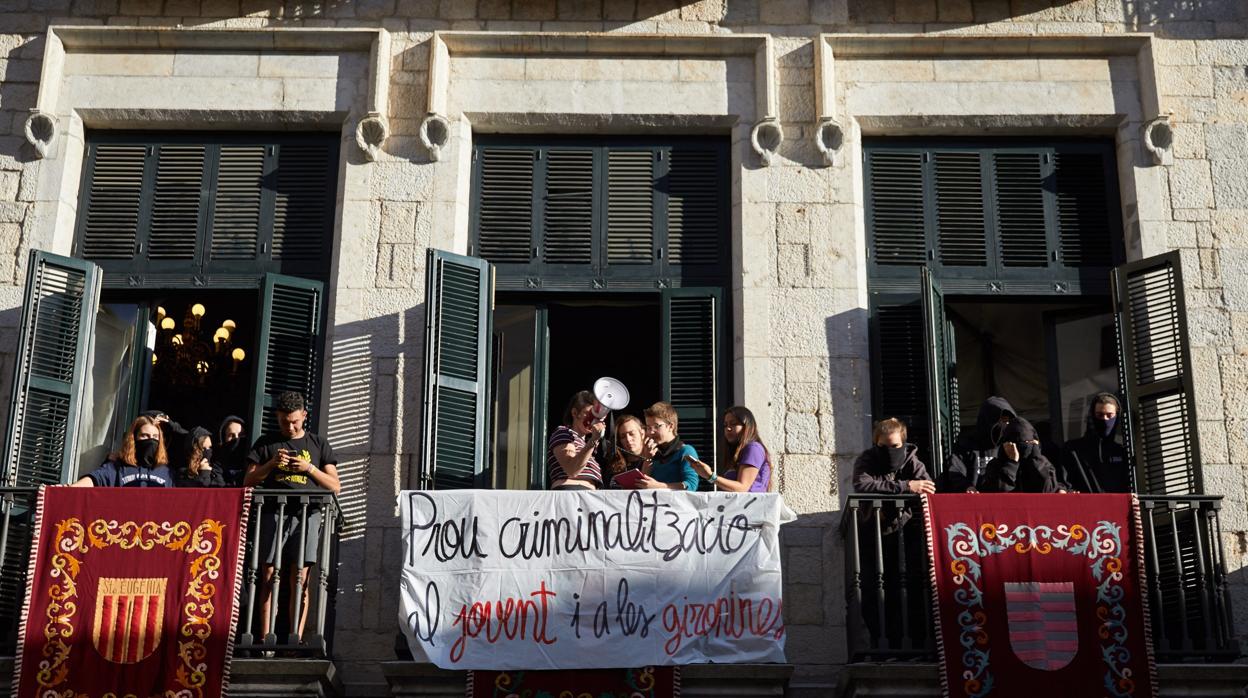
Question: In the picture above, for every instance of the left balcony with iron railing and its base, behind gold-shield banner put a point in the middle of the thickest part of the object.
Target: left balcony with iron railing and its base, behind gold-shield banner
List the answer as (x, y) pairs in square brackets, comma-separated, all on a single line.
[(281, 662)]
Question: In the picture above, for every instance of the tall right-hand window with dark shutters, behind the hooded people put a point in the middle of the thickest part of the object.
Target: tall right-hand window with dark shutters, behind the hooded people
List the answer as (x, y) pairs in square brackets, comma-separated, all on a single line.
[(974, 247)]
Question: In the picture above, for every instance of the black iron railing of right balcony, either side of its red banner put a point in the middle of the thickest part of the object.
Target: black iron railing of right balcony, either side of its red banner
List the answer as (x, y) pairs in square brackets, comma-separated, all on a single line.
[(889, 595)]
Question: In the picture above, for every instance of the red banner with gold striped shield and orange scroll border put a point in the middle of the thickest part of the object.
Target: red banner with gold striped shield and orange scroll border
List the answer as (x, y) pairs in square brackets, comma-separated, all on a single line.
[(132, 592)]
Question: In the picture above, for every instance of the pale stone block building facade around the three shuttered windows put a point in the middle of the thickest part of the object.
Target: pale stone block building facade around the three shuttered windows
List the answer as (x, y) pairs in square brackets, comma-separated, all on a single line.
[(794, 88)]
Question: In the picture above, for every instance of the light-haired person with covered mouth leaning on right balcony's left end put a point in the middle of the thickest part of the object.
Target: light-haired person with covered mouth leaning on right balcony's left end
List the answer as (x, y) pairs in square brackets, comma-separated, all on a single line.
[(892, 468)]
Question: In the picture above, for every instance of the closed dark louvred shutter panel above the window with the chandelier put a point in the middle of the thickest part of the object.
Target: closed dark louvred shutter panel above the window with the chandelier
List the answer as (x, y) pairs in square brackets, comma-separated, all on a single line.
[(222, 209)]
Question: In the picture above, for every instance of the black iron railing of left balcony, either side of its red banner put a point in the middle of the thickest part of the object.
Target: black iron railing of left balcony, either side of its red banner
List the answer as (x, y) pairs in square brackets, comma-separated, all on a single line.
[(275, 515)]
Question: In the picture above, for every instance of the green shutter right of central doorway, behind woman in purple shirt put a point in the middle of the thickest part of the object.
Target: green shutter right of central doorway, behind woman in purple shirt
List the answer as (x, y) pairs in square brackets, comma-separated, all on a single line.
[(692, 322)]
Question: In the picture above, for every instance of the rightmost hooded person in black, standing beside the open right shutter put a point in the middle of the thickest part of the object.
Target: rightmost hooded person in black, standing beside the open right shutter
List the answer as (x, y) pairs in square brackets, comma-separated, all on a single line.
[(1096, 463)]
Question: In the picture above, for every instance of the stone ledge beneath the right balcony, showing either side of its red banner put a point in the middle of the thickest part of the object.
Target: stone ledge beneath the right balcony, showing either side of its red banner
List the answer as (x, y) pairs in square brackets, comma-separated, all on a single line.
[(904, 680)]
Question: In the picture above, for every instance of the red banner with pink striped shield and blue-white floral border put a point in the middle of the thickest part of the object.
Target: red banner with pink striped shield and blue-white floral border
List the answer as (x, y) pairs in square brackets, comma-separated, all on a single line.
[(1040, 595)]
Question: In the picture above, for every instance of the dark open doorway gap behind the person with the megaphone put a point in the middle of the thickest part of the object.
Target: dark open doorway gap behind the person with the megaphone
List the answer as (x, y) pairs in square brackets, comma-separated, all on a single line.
[(595, 340)]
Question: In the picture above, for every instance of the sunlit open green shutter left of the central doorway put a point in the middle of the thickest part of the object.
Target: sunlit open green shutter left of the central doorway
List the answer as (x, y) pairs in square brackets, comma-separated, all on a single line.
[(459, 302)]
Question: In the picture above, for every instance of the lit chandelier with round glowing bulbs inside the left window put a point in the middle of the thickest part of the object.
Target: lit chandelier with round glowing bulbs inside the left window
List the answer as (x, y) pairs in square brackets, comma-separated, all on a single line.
[(190, 355)]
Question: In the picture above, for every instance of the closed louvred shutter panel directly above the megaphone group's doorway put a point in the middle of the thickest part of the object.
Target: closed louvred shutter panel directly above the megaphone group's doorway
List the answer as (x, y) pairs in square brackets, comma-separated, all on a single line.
[(566, 214)]
